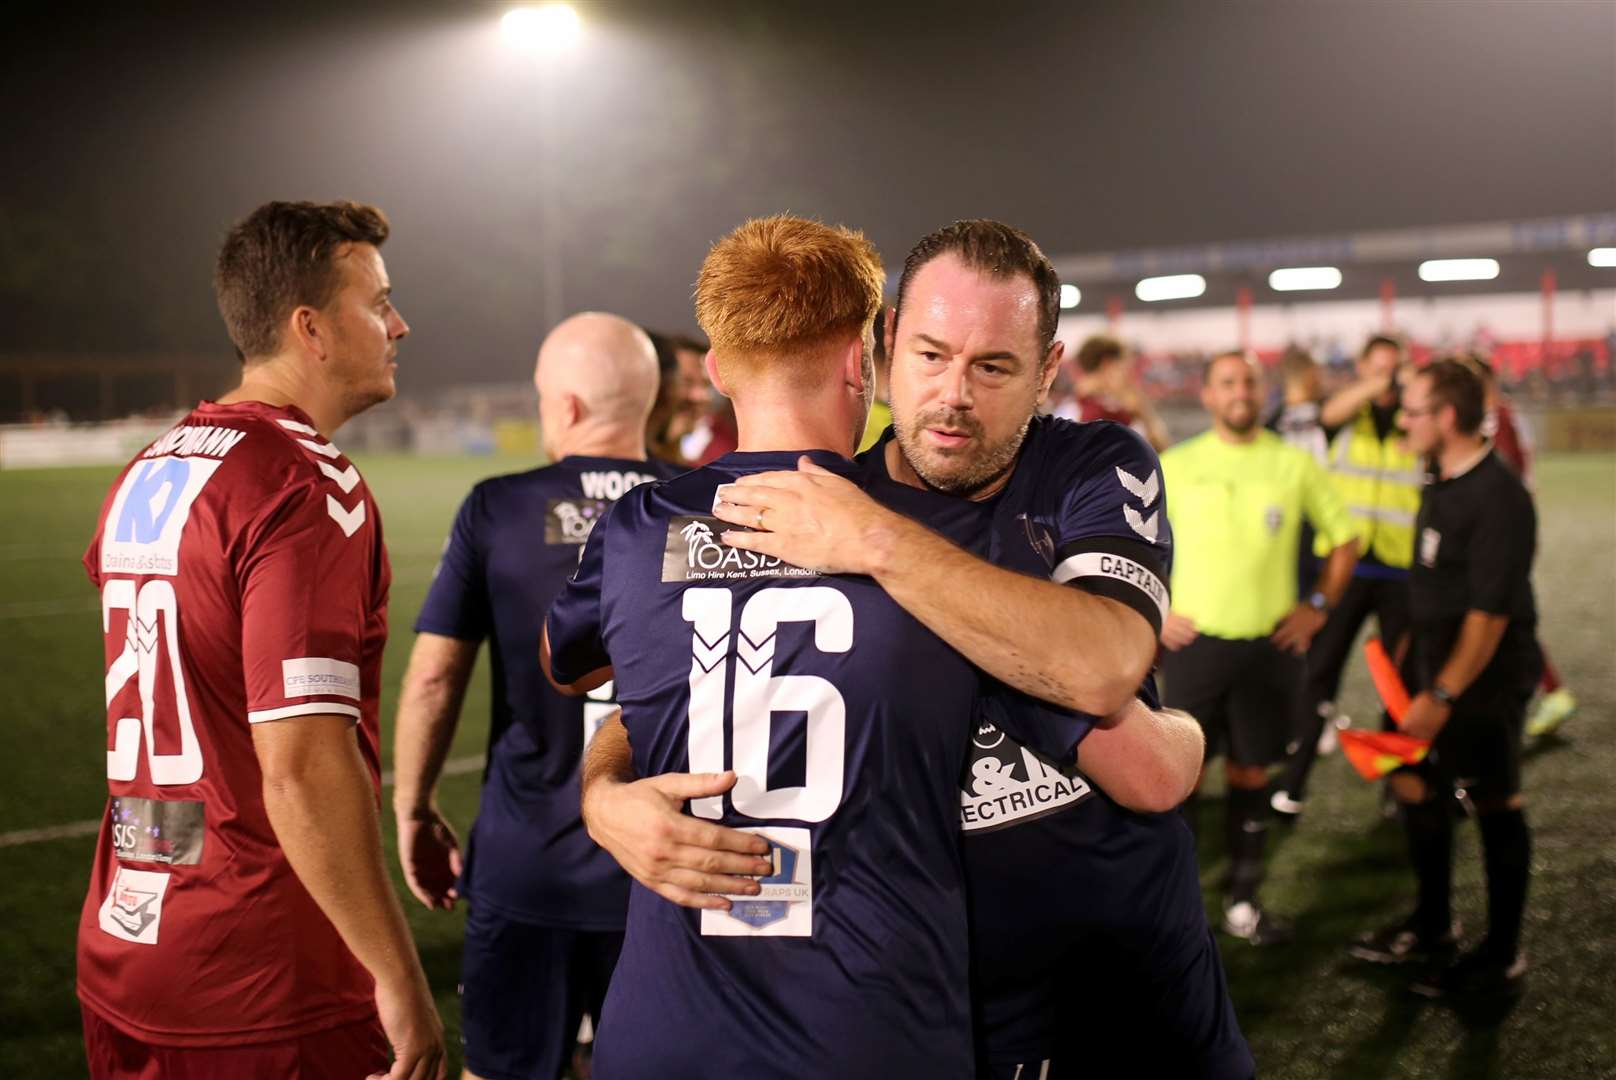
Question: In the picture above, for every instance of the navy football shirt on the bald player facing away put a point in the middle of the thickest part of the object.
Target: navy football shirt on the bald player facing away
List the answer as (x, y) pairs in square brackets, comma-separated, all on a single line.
[(513, 547)]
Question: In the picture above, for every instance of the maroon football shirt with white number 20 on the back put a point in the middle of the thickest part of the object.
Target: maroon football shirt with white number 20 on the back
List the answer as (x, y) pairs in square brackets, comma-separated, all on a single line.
[(243, 581)]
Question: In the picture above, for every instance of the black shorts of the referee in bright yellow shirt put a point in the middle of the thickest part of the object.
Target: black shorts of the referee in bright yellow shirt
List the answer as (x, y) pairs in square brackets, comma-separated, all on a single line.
[(1242, 693)]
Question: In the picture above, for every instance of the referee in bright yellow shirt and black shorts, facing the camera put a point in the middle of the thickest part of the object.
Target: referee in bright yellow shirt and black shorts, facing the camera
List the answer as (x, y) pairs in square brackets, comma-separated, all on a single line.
[(1237, 638)]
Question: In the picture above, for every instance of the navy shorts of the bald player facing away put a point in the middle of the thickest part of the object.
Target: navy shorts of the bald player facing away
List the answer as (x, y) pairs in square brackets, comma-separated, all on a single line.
[(524, 990)]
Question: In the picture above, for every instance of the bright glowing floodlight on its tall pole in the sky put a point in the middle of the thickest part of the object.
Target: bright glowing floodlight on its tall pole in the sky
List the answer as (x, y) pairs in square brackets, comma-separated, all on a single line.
[(552, 30)]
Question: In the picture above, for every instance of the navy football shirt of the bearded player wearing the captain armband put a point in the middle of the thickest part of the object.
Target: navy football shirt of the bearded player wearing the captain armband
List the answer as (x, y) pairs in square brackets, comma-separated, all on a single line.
[(1077, 903)]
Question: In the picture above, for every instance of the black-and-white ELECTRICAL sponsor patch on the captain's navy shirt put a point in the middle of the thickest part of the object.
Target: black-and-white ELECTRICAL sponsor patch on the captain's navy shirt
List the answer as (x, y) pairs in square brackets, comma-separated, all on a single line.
[(1006, 783)]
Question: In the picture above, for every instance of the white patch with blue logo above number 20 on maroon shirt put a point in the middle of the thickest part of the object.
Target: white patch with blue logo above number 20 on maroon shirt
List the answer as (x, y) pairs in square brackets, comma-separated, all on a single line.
[(149, 515)]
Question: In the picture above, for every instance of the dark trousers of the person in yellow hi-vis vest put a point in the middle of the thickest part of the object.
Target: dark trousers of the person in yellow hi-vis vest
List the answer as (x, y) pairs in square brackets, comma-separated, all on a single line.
[(1328, 657)]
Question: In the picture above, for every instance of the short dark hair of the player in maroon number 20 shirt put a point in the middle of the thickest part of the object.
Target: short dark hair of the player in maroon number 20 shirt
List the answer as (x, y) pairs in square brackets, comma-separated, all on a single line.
[(282, 258)]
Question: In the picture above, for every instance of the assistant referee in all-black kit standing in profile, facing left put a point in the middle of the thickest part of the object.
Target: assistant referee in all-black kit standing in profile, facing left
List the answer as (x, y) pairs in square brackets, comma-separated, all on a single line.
[(1475, 664)]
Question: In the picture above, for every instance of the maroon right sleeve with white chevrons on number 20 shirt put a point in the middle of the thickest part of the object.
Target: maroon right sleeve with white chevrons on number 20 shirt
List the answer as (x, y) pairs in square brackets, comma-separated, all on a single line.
[(306, 583)]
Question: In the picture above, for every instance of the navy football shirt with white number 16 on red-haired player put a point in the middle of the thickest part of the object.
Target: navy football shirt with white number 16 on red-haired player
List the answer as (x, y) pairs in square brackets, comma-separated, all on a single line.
[(848, 724)]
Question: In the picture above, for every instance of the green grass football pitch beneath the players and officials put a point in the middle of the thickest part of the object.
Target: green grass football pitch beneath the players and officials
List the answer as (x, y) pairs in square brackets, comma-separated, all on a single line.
[(1307, 1008)]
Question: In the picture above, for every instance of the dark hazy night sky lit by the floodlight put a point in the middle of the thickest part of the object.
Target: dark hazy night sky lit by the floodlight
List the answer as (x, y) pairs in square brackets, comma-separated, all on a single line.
[(133, 140)]
